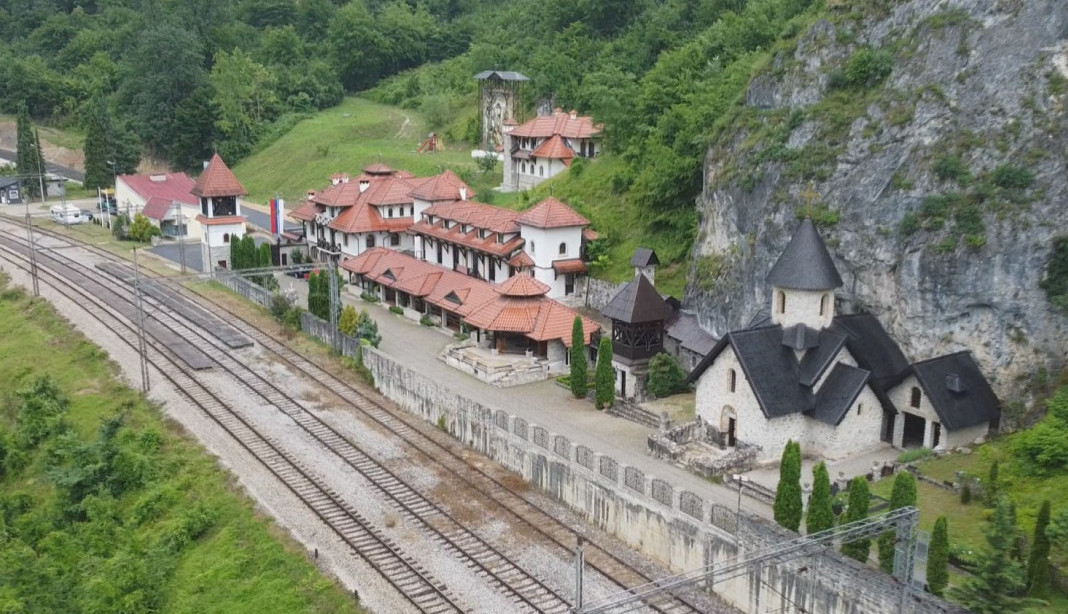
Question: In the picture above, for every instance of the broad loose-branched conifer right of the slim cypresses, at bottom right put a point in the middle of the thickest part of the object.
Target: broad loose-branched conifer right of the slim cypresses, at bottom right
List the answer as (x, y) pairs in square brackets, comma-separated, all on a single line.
[(998, 578)]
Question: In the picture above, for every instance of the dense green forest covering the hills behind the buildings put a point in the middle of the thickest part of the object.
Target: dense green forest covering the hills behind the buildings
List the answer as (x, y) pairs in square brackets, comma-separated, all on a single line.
[(178, 80)]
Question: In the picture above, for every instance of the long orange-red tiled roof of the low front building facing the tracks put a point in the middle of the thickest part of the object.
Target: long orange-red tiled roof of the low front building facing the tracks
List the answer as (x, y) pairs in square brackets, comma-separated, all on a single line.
[(480, 305)]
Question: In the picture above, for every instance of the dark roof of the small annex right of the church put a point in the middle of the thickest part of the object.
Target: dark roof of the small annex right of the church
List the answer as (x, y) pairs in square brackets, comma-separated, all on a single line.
[(957, 390)]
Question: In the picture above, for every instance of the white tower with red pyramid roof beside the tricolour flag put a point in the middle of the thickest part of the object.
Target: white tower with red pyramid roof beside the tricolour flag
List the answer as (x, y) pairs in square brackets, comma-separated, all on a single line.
[(219, 193)]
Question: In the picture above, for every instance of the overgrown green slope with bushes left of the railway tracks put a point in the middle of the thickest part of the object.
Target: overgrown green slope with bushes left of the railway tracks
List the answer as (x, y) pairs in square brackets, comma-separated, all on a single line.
[(106, 508)]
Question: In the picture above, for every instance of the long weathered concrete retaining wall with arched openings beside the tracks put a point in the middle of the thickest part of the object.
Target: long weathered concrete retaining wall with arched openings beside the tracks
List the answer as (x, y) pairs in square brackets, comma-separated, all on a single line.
[(674, 526)]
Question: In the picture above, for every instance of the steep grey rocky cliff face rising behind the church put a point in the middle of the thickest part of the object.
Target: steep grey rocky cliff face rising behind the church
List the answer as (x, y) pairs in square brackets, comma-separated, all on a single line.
[(929, 140)]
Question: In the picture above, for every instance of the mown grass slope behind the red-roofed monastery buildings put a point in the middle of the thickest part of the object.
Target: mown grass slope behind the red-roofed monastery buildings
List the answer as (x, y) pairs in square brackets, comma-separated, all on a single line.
[(345, 139)]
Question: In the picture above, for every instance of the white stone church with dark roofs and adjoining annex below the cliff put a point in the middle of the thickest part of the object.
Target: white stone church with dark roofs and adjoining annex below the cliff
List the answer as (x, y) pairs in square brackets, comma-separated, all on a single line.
[(837, 384)]
